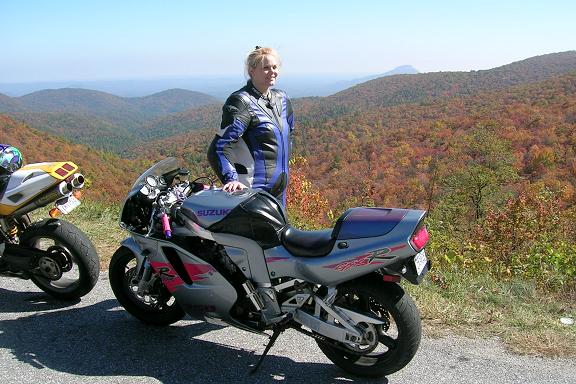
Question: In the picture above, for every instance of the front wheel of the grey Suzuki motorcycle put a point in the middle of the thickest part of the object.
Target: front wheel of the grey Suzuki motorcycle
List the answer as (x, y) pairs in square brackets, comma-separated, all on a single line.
[(159, 309)]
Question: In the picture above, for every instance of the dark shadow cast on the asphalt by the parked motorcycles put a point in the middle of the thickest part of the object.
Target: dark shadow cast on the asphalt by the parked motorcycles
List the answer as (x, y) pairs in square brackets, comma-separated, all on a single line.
[(103, 340)]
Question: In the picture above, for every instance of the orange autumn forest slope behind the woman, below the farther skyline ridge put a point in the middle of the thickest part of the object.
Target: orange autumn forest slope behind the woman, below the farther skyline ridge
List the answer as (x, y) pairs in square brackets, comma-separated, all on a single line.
[(396, 155)]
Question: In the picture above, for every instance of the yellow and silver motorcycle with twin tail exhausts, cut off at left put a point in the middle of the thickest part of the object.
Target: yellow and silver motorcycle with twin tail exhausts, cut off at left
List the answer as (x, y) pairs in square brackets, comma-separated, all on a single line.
[(53, 253)]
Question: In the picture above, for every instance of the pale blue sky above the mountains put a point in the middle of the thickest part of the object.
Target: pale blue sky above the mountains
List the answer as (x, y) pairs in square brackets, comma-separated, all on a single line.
[(56, 40)]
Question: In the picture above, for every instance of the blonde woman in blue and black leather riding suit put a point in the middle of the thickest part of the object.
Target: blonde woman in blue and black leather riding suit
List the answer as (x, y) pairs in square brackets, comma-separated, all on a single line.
[(252, 147)]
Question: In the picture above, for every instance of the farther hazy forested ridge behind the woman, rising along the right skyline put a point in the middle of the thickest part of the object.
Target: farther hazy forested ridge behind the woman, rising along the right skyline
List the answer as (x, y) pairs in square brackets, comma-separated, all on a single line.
[(392, 90)]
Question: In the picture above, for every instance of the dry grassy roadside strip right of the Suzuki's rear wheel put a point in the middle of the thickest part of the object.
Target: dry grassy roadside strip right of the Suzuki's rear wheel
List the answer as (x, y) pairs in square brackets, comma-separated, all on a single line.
[(524, 316)]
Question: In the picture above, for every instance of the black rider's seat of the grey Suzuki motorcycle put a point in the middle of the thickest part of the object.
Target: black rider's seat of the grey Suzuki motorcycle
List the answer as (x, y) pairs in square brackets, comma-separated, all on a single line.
[(308, 243)]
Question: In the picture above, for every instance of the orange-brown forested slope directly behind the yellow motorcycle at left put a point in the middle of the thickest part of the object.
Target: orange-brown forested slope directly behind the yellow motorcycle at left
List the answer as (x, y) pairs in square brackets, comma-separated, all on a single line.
[(108, 177)]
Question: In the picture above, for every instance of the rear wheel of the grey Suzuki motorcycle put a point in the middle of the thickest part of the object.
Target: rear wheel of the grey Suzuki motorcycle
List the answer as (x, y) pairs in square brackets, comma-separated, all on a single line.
[(398, 339)]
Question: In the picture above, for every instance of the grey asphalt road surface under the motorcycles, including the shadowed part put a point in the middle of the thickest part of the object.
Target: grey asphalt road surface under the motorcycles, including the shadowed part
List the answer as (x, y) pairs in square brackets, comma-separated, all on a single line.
[(95, 341)]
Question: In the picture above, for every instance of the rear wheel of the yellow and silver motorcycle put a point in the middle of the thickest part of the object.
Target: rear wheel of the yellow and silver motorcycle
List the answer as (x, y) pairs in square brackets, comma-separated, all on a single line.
[(81, 267)]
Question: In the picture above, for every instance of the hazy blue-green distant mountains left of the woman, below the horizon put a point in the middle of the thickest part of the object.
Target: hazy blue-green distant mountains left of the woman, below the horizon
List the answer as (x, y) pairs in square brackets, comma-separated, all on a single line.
[(98, 119)]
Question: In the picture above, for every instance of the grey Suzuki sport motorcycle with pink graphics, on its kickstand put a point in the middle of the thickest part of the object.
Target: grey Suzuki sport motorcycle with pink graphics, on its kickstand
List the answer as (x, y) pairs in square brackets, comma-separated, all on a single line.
[(233, 259)]
